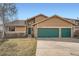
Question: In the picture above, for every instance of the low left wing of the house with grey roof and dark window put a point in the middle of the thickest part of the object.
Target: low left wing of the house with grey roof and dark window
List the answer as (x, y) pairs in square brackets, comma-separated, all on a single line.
[(18, 26)]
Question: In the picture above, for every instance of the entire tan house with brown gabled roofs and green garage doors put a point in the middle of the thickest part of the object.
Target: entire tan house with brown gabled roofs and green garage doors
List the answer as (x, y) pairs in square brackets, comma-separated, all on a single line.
[(42, 26)]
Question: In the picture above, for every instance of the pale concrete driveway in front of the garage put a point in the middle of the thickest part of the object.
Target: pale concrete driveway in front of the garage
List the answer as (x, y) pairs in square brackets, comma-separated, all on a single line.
[(57, 47)]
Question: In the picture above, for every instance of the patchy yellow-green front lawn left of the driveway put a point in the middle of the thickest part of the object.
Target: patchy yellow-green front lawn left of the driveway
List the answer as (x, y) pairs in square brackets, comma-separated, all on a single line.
[(18, 47)]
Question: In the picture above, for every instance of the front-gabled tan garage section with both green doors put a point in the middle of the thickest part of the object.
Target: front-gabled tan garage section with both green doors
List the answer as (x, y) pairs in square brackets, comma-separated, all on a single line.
[(54, 27)]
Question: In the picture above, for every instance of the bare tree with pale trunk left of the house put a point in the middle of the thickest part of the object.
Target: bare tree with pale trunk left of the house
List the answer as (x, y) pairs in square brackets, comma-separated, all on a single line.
[(7, 13)]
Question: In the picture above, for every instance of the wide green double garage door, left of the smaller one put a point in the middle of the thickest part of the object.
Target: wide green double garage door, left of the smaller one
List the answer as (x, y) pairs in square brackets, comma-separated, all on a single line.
[(48, 32)]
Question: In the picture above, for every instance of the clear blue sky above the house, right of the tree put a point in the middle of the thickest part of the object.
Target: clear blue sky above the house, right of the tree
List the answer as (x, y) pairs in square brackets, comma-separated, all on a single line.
[(27, 10)]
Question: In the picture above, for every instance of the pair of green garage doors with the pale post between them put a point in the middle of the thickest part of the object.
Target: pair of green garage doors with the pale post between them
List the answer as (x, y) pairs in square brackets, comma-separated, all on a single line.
[(54, 32)]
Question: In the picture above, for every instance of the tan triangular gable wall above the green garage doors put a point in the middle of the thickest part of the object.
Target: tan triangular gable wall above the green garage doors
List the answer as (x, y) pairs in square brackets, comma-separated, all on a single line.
[(54, 22)]
